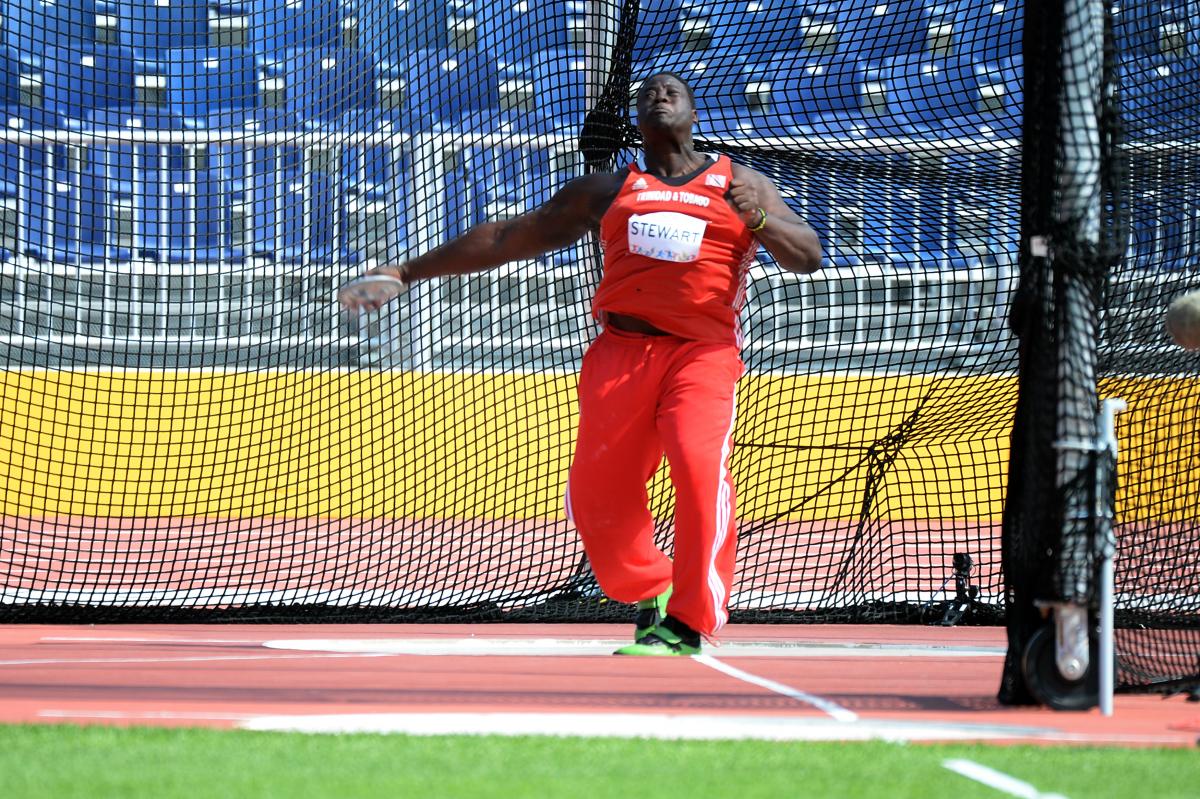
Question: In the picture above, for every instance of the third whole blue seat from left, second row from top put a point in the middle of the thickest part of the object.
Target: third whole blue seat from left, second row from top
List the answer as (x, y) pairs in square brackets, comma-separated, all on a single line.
[(322, 86)]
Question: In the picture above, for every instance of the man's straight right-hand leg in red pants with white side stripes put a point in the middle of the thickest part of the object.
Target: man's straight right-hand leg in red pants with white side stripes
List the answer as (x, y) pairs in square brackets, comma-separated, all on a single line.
[(697, 424)]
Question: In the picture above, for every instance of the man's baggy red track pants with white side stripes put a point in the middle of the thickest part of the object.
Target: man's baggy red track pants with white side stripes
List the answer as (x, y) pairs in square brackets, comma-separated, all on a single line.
[(643, 398)]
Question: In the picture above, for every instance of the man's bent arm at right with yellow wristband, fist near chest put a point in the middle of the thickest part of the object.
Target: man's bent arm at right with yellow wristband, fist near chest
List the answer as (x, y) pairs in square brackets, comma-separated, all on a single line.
[(785, 236)]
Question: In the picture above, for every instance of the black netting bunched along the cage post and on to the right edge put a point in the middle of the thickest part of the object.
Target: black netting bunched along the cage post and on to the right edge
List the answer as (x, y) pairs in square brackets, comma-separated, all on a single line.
[(1099, 272)]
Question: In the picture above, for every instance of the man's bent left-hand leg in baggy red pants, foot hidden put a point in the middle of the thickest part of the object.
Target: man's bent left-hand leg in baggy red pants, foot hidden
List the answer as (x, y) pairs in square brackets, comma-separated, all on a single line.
[(616, 454)]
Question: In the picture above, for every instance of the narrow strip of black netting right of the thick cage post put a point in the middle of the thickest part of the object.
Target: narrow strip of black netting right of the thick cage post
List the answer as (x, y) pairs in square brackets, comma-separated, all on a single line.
[(1157, 580)]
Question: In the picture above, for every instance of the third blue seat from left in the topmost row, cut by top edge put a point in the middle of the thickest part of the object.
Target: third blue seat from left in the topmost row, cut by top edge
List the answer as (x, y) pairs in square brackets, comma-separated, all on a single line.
[(281, 26)]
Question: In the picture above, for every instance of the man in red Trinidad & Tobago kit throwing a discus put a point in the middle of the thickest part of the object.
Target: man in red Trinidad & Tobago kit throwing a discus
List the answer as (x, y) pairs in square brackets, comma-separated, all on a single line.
[(679, 230)]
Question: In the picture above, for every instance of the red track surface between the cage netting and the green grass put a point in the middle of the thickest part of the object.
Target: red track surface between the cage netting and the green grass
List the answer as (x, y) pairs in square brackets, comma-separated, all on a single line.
[(221, 675)]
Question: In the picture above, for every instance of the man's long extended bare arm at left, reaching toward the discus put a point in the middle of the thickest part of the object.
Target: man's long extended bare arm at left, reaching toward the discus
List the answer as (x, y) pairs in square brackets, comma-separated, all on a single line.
[(565, 219)]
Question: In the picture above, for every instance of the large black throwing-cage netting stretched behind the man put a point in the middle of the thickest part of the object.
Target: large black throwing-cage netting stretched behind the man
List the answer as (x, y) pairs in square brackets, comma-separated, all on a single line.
[(194, 430)]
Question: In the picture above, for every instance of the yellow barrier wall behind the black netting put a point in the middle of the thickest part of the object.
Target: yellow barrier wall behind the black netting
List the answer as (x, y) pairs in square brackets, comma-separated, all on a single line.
[(499, 447)]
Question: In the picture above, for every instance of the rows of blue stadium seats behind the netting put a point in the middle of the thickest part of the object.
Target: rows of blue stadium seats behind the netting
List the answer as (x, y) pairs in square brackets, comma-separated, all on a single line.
[(500, 68)]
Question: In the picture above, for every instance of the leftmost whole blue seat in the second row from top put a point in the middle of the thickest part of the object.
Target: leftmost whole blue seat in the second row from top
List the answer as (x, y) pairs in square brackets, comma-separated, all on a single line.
[(81, 80)]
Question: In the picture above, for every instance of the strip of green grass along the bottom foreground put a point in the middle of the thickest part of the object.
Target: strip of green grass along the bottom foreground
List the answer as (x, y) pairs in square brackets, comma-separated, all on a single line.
[(50, 761)]
